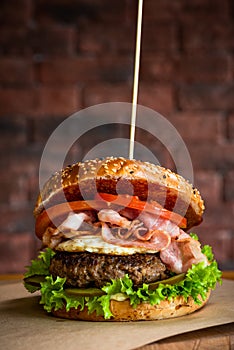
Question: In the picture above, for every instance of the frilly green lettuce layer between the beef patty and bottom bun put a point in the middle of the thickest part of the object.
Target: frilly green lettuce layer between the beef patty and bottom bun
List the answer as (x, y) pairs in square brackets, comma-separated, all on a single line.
[(198, 281)]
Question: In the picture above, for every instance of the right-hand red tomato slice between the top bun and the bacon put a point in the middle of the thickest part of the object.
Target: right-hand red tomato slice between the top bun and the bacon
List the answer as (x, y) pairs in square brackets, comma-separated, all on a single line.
[(153, 207)]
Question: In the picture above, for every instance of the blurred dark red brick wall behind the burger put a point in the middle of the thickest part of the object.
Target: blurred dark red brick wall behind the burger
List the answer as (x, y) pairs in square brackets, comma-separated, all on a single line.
[(60, 56)]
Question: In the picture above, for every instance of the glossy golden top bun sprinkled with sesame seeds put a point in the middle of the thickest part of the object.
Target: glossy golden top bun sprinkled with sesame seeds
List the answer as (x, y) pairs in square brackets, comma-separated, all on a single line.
[(123, 176)]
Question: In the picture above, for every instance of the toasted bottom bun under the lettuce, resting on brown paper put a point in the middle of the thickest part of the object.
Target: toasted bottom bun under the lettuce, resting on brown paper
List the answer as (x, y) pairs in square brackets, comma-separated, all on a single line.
[(123, 311)]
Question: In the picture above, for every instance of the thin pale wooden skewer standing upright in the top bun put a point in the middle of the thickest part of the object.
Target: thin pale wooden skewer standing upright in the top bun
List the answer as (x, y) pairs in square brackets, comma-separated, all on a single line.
[(136, 79)]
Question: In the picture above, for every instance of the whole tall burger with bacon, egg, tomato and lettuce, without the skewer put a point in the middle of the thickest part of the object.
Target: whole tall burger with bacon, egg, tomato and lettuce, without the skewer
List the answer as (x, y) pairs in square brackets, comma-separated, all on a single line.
[(116, 243)]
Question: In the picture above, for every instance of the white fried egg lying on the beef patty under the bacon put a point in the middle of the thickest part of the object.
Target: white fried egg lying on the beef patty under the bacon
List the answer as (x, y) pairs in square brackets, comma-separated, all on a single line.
[(95, 244)]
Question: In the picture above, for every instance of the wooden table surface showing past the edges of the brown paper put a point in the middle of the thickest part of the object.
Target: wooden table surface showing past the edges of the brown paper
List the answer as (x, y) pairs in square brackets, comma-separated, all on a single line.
[(218, 337)]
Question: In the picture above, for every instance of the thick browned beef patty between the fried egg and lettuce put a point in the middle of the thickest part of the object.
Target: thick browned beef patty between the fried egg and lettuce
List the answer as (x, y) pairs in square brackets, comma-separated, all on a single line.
[(95, 270)]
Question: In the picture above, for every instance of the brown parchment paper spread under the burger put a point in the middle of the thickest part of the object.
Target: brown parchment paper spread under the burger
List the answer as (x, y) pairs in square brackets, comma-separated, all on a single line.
[(25, 325)]
